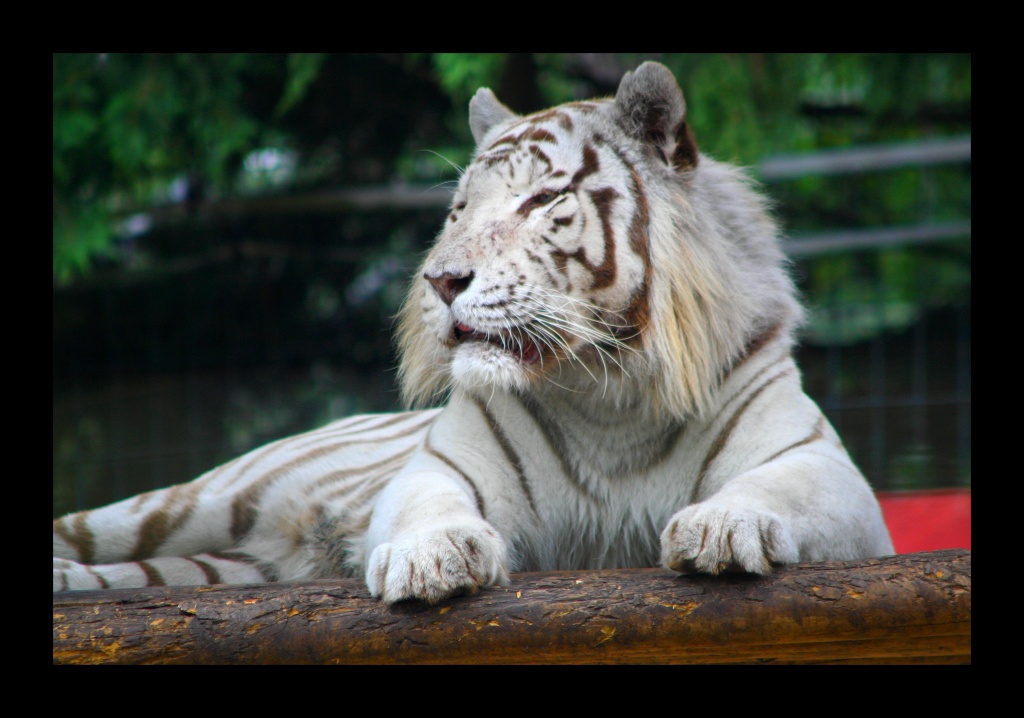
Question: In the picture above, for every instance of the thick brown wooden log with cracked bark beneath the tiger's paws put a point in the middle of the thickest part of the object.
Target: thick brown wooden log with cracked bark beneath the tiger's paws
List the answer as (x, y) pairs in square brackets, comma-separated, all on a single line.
[(913, 609)]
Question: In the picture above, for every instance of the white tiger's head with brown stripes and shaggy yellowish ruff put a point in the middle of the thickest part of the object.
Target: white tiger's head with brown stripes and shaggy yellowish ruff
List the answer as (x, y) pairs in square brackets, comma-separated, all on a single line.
[(592, 245)]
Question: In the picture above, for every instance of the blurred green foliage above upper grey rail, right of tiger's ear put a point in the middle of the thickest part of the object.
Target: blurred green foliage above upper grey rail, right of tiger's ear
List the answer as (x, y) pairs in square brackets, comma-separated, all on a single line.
[(745, 107)]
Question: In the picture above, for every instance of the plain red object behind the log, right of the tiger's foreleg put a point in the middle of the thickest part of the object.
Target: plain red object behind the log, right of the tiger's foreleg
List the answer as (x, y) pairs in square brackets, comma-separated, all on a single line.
[(928, 521)]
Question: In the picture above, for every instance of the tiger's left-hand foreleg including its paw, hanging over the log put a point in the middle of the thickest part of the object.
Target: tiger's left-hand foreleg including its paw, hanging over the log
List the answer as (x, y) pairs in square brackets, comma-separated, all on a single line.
[(428, 541)]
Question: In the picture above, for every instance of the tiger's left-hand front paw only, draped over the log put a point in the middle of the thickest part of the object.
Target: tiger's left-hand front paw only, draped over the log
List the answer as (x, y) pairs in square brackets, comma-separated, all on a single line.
[(436, 565)]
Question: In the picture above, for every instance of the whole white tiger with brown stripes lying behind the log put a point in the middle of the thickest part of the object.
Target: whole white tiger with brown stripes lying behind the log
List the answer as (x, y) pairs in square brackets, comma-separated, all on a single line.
[(612, 318)]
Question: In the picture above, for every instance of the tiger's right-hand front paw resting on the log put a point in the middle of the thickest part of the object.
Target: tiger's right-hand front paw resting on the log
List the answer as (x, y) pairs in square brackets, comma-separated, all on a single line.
[(712, 539)]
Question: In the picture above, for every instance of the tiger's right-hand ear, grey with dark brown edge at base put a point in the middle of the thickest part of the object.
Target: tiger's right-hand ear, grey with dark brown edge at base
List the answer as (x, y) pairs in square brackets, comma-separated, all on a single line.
[(653, 110)]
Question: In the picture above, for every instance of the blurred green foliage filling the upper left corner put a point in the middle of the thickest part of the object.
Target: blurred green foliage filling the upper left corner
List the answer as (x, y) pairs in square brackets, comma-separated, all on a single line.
[(125, 126)]
